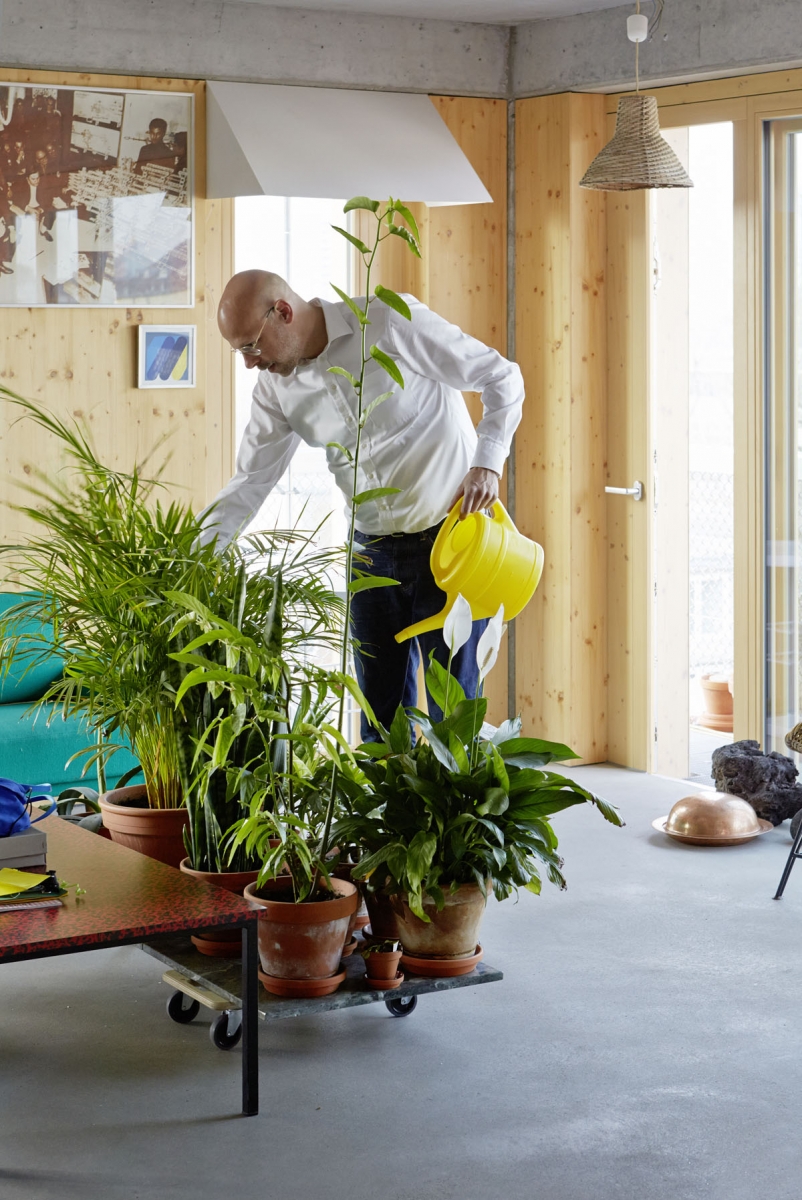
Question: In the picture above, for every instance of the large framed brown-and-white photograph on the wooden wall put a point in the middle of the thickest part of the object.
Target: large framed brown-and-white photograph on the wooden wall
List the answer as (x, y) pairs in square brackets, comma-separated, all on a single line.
[(95, 197)]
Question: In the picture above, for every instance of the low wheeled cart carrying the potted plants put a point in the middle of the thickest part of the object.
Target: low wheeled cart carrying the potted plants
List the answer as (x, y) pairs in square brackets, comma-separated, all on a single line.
[(216, 985)]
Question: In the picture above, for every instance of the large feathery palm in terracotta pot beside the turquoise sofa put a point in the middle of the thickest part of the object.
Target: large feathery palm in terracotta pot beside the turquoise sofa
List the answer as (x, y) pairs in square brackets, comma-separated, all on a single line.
[(136, 605)]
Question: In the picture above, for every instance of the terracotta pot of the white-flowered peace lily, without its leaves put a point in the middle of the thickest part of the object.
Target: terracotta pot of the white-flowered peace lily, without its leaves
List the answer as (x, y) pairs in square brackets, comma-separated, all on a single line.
[(453, 933)]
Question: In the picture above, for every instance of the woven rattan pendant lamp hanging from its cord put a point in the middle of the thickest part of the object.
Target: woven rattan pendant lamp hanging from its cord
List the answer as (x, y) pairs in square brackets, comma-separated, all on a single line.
[(638, 157)]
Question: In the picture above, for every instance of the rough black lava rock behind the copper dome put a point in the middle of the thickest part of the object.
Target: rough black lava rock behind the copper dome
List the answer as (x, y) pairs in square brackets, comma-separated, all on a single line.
[(767, 781)]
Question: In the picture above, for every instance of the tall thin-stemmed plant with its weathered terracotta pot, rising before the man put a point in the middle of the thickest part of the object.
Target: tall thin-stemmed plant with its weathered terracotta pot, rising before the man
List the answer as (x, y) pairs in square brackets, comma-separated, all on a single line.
[(304, 926)]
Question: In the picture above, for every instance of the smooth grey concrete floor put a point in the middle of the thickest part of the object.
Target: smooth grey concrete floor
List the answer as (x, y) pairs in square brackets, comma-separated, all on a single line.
[(645, 1045)]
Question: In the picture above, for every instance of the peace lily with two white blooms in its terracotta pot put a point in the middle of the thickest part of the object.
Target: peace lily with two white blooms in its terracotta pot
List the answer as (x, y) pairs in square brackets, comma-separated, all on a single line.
[(460, 814)]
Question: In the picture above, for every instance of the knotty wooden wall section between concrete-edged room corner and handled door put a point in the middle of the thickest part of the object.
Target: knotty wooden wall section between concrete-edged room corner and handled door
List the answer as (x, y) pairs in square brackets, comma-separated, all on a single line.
[(561, 446)]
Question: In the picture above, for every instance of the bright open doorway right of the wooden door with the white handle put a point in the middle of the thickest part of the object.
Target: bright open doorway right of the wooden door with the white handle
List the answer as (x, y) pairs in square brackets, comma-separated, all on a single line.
[(692, 424)]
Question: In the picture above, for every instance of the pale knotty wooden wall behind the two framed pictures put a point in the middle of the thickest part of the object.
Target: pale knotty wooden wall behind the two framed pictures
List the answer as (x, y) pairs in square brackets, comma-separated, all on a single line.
[(83, 362)]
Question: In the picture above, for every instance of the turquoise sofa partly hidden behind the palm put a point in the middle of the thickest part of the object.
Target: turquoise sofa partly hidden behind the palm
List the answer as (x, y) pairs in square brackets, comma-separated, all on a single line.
[(32, 751)]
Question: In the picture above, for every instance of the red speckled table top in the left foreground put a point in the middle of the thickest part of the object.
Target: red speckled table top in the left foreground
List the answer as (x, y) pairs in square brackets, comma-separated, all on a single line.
[(129, 898)]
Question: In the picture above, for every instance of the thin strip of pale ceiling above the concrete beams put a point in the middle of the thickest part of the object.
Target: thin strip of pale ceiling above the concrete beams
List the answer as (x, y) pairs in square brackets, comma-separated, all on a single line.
[(487, 13)]
